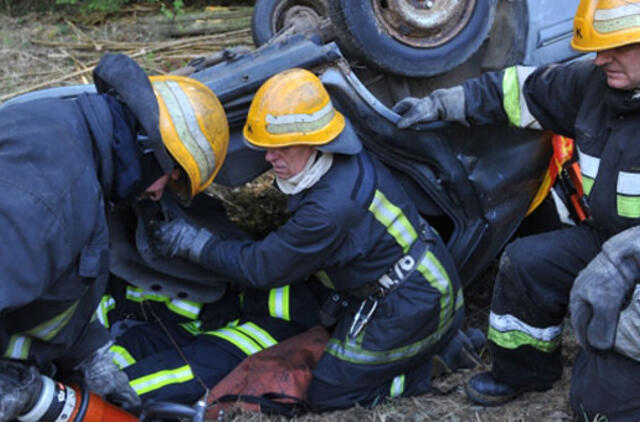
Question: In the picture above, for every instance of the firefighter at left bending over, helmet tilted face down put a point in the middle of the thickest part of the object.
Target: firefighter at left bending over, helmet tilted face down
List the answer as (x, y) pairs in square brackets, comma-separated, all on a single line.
[(60, 162)]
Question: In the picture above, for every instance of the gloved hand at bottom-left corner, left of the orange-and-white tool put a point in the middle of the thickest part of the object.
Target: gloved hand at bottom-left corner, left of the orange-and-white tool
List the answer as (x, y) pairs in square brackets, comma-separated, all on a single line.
[(20, 385)]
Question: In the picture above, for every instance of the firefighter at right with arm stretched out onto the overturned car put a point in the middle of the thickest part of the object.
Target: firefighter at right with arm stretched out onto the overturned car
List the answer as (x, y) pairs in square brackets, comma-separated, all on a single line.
[(594, 268)]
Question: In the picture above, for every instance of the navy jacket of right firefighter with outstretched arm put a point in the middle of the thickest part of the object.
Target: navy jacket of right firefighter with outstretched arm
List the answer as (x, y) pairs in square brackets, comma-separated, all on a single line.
[(574, 100)]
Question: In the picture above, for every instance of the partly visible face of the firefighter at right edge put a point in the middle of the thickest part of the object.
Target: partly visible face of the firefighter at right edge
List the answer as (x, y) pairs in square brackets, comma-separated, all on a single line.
[(622, 66)]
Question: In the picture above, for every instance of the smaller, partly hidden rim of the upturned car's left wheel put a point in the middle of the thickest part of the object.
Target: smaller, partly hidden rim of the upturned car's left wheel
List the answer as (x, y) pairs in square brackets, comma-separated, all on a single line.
[(300, 14)]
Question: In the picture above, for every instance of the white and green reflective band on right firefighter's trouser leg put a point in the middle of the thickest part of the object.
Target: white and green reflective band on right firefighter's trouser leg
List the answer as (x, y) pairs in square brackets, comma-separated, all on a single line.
[(510, 332)]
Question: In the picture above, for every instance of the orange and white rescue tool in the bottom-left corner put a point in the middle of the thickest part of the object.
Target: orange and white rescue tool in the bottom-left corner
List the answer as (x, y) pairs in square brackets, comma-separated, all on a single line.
[(63, 403)]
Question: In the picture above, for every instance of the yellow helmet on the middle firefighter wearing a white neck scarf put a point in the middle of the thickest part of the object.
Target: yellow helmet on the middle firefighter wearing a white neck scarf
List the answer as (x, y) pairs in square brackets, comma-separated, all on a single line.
[(292, 108)]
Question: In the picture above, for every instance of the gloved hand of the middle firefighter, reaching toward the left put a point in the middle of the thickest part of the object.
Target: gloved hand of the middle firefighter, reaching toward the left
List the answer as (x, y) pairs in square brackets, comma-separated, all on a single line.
[(179, 238)]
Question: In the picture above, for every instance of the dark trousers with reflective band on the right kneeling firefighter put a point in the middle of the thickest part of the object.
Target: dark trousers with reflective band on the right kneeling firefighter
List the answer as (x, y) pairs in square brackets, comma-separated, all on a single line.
[(529, 305)]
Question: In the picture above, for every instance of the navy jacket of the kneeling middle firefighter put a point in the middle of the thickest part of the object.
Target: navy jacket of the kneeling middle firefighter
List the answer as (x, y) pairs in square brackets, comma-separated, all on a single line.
[(332, 229)]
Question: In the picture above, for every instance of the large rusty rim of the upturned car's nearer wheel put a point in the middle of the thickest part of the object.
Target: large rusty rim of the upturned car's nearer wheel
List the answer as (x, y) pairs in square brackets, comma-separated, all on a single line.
[(423, 23)]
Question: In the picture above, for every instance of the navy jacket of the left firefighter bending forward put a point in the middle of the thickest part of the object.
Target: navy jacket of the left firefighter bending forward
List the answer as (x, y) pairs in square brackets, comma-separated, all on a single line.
[(54, 255)]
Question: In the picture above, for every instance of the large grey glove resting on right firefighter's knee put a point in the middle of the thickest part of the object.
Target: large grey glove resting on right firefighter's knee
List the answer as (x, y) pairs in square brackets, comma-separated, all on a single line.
[(600, 290)]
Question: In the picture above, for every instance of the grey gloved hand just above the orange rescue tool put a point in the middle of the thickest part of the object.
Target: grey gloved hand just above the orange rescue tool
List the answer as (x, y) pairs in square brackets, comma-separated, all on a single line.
[(104, 378)]
